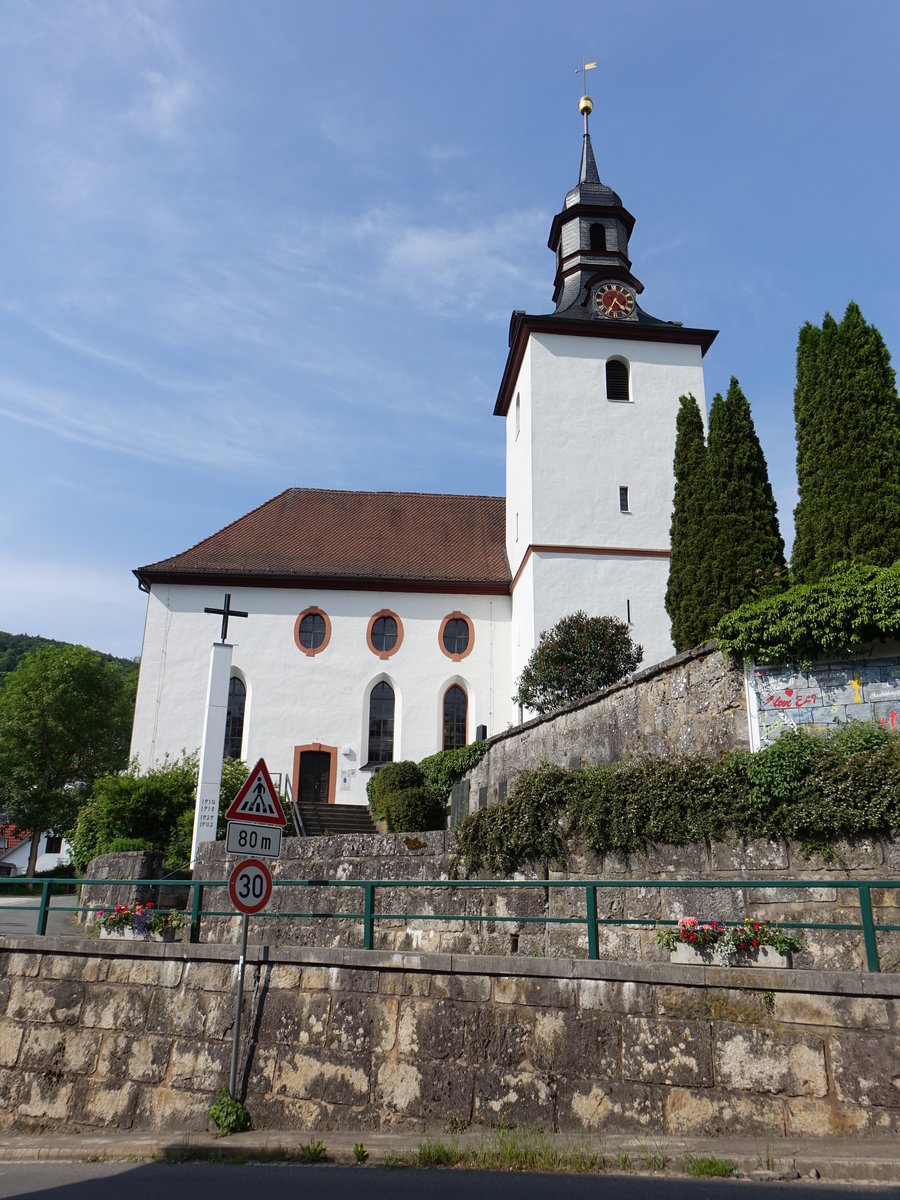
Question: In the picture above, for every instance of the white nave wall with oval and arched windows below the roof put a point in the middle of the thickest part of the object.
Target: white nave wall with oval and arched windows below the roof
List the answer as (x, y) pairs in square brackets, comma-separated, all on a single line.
[(296, 699)]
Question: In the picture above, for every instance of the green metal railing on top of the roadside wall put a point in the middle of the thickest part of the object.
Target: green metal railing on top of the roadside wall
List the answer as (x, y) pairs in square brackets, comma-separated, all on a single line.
[(370, 916)]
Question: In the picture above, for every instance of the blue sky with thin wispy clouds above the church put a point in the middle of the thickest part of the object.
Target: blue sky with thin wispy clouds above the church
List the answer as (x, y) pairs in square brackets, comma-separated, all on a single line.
[(255, 245)]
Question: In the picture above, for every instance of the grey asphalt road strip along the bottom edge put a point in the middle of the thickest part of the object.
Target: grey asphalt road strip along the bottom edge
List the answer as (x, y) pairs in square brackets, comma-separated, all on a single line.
[(224, 1181)]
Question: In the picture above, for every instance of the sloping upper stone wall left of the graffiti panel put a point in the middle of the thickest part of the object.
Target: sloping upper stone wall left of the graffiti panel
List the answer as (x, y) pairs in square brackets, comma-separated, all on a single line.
[(691, 704)]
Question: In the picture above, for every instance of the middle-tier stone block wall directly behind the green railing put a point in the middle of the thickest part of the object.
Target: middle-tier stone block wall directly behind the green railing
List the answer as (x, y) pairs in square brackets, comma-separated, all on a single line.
[(482, 921)]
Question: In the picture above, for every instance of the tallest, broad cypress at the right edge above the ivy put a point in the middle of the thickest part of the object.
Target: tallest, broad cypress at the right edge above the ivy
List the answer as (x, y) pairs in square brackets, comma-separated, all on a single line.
[(848, 418)]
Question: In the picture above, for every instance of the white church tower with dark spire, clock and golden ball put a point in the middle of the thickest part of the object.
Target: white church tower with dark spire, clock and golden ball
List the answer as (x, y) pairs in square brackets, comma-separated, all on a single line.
[(590, 395)]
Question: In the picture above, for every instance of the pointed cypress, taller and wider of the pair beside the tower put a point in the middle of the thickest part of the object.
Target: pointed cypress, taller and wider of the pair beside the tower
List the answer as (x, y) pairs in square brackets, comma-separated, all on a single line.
[(746, 550)]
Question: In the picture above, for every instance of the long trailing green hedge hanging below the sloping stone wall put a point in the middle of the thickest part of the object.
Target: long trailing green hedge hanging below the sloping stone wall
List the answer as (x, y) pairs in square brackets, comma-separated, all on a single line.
[(807, 787)]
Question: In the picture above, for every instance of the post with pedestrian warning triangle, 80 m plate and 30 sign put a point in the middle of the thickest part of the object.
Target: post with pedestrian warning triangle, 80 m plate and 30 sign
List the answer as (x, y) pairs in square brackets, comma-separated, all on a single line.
[(255, 825)]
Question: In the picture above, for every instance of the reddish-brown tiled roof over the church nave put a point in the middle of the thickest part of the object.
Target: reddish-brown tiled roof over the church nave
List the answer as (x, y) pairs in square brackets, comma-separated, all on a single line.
[(353, 539)]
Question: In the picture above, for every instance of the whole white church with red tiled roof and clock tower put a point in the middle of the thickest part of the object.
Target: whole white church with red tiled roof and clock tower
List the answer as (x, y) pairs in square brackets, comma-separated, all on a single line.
[(387, 626)]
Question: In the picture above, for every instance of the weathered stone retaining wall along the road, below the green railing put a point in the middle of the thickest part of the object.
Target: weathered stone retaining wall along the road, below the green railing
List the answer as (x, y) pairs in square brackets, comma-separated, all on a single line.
[(110, 1036)]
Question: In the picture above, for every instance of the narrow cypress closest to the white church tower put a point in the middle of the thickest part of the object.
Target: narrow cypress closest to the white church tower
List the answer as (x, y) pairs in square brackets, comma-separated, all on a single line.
[(685, 603)]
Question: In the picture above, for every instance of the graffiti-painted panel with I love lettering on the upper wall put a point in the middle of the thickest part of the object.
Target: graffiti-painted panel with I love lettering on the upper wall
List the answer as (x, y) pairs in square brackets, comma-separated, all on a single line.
[(827, 694)]
